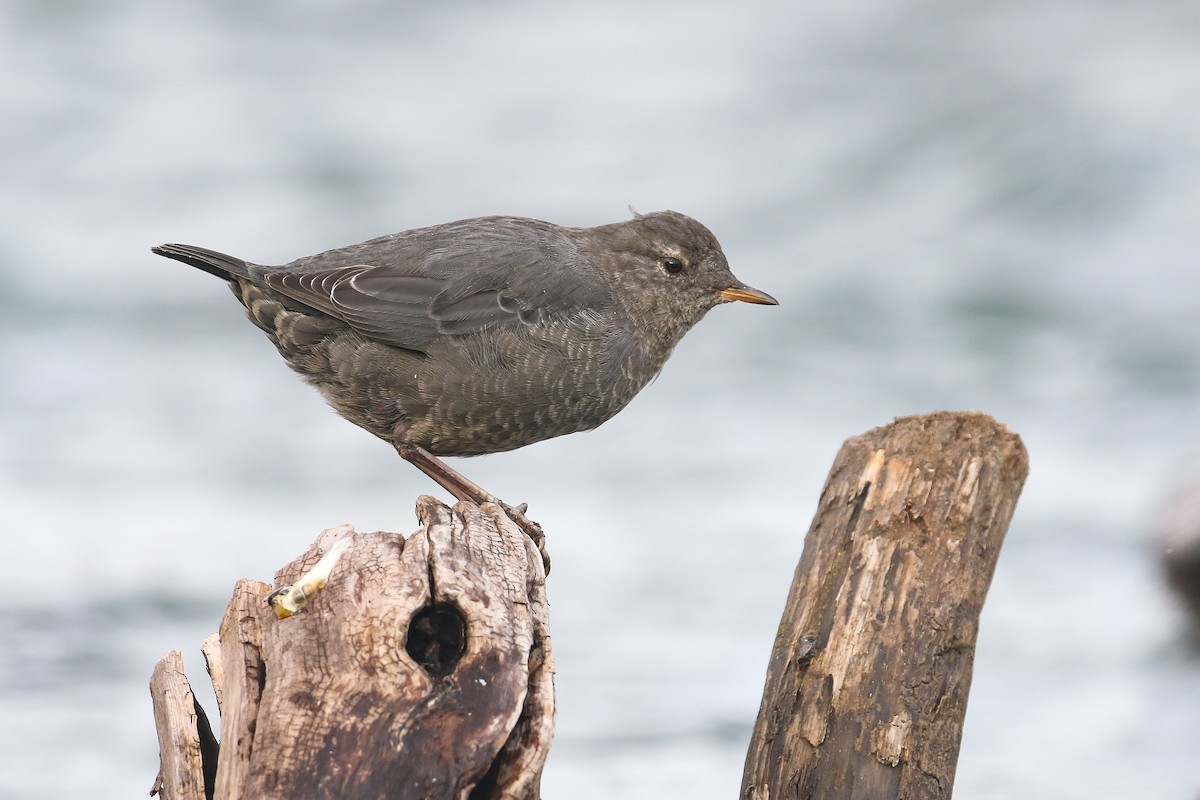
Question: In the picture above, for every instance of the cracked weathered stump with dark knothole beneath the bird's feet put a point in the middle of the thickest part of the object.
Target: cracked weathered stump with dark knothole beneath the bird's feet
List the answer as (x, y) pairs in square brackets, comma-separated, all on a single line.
[(422, 670)]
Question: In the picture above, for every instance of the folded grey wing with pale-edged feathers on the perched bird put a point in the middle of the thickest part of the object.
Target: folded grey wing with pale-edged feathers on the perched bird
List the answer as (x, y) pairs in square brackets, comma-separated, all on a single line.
[(449, 291)]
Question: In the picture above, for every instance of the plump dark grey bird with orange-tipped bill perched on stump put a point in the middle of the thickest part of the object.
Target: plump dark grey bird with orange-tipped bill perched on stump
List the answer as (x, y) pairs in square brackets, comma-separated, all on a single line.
[(485, 335)]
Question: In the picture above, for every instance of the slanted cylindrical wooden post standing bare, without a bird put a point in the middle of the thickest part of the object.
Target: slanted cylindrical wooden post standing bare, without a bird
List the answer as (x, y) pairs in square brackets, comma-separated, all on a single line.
[(868, 682)]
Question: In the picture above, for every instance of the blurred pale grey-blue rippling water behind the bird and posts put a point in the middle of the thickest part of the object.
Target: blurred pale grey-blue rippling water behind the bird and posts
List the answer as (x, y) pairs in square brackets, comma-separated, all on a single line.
[(959, 204)]
